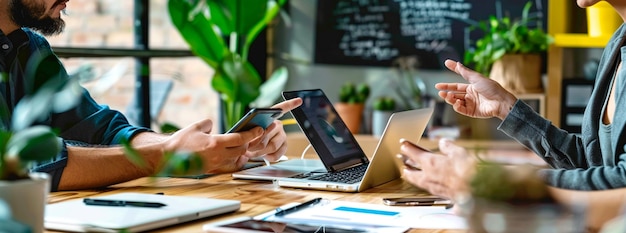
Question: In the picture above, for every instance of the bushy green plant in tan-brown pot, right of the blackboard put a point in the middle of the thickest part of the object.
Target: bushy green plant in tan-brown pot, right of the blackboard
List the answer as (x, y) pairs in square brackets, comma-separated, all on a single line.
[(509, 52)]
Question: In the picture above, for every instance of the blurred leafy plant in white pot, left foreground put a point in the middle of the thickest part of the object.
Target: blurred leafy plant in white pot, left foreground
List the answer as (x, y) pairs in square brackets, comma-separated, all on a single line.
[(23, 142)]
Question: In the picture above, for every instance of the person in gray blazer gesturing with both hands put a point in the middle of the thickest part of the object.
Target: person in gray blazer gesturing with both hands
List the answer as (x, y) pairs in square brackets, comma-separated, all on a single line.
[(592, 160)]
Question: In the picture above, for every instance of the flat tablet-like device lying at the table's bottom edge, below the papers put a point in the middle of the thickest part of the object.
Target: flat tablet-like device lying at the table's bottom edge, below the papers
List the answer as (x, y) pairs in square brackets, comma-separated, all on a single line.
[(249, 225)]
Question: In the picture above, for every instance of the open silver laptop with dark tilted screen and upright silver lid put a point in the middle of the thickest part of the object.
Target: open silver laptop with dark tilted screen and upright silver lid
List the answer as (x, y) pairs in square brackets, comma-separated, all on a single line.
[(348, 169)]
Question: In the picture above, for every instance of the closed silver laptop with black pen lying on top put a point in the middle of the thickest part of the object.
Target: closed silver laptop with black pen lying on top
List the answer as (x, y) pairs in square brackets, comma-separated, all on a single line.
[(77, 216)]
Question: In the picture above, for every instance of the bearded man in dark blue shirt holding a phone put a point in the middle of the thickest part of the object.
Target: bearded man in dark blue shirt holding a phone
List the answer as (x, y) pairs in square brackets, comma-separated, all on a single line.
[(82, 165)]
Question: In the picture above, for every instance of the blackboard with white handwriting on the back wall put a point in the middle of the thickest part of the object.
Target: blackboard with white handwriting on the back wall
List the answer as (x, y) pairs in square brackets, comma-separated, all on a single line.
[(375, 32)]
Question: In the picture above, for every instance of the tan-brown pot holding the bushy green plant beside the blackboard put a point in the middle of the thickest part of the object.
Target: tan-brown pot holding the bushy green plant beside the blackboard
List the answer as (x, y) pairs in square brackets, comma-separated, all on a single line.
[(518, 73)]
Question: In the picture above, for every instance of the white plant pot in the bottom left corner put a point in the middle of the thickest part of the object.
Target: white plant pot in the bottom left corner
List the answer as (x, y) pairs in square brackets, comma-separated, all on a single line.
[(27, 199)]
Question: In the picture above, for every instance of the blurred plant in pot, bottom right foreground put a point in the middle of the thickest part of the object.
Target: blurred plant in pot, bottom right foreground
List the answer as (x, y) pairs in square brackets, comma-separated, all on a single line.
[(519, 199)]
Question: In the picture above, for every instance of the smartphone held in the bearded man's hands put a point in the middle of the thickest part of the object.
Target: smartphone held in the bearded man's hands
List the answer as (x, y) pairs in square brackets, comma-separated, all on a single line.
[(256, 117)]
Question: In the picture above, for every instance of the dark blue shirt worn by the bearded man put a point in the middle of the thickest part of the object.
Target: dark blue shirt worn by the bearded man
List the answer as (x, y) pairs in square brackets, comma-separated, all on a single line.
[(88, 123)]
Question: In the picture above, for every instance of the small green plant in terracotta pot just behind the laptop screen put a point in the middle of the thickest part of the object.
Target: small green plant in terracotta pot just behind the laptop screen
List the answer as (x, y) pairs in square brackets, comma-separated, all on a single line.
[(351, 104)]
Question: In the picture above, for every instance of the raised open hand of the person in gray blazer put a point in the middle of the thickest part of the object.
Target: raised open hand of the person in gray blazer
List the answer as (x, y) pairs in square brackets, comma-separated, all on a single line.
[(481, 98)]
